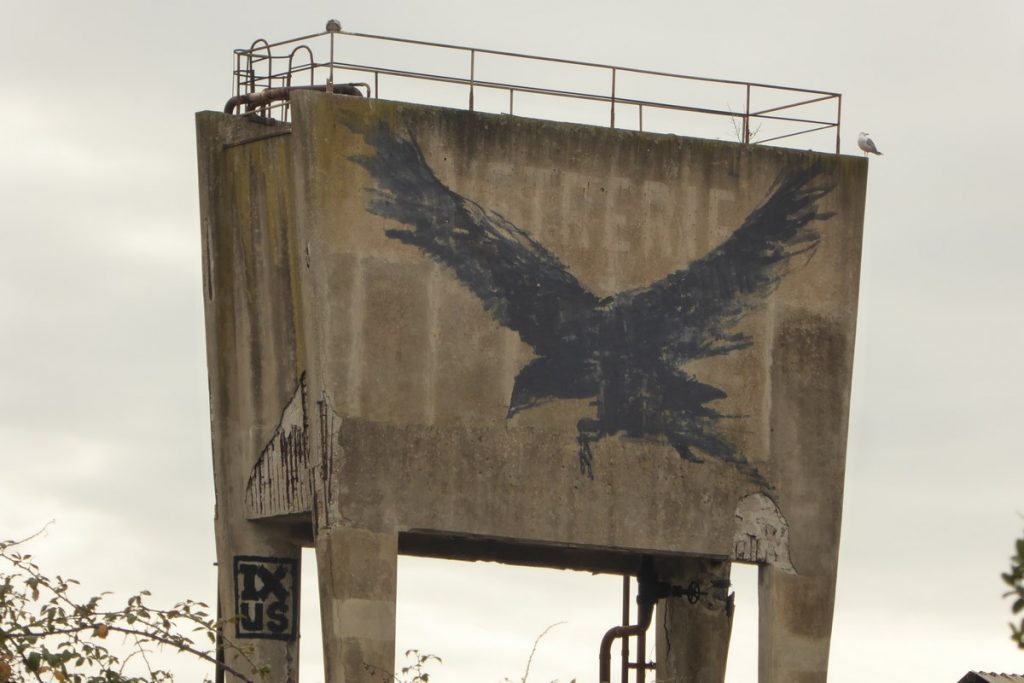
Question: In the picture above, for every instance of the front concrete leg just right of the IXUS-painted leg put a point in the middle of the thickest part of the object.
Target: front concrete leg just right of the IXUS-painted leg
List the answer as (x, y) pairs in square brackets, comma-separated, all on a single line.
[(359, 572)]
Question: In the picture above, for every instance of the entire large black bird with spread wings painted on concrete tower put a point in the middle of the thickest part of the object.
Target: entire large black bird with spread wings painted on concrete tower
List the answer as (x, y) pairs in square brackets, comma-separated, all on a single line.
[(627, 353)]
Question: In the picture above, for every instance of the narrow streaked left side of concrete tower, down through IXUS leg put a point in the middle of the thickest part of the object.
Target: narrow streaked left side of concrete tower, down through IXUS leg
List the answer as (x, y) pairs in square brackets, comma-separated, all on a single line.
[(254, 362)]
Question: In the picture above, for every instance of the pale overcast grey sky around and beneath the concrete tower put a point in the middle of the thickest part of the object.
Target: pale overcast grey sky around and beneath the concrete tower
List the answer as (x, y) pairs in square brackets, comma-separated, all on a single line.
[(104, 407)]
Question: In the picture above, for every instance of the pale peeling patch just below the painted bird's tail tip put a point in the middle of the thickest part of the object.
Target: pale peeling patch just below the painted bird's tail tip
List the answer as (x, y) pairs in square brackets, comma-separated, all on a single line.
[(762, 534)]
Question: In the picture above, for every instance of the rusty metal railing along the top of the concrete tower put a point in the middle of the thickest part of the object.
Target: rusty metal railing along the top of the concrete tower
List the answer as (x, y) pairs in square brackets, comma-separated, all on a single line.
[(266, 74)]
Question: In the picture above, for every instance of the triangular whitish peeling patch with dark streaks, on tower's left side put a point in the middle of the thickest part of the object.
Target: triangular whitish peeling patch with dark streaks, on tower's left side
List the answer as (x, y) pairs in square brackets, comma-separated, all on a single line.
[(279, 484)]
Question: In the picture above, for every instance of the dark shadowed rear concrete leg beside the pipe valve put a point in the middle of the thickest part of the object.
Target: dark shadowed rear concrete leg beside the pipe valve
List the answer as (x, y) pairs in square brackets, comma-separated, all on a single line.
[(694, 639)]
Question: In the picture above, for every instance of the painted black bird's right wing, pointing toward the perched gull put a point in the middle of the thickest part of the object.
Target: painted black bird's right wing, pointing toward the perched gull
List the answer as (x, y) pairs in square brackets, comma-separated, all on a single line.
[(690, 314)]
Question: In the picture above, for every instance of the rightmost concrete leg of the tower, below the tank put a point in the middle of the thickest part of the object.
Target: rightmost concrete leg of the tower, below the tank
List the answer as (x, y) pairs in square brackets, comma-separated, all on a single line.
[(795, 626)]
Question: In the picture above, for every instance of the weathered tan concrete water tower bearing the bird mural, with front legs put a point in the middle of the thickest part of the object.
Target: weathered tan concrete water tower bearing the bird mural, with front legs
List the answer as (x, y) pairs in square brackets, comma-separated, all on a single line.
[(474, 330)]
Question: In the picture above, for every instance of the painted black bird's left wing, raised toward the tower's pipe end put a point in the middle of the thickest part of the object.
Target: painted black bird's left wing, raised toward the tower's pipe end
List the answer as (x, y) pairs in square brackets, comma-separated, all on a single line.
[(523, 285)]
